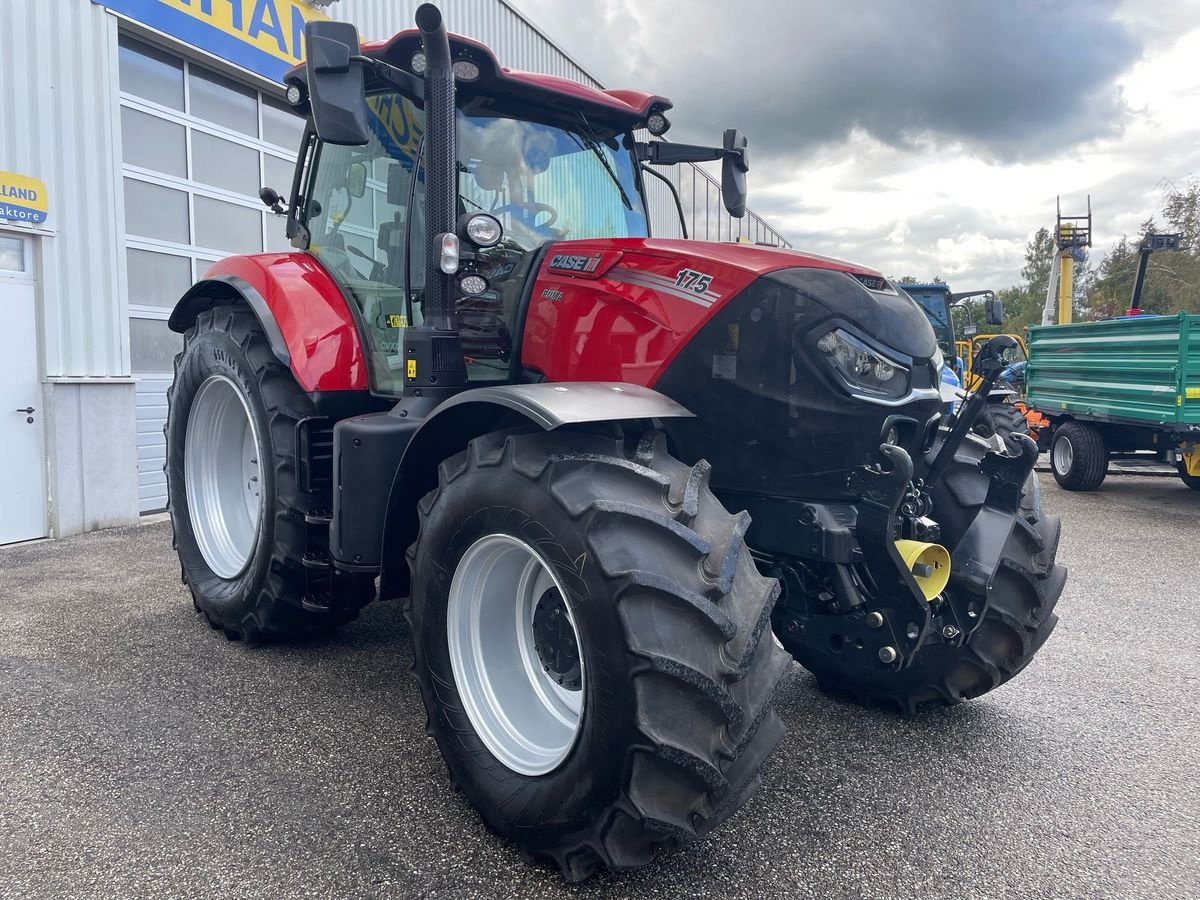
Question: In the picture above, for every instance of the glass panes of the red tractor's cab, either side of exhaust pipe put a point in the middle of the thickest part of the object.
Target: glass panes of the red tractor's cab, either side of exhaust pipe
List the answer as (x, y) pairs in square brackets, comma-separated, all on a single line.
[(543, 182)]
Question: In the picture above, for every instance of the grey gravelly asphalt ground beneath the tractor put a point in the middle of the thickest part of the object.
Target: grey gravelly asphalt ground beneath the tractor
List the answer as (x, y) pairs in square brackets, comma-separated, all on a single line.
[(143, 755)]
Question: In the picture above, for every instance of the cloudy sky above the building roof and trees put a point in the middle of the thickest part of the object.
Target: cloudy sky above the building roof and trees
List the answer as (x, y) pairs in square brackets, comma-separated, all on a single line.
[(923, 137)]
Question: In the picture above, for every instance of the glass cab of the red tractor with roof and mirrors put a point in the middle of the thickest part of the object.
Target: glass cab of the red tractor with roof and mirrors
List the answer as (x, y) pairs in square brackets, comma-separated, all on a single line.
[(538, 160)]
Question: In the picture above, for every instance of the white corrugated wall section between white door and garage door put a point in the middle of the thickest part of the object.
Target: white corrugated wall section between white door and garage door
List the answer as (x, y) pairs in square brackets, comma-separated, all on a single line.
[(58, 124)]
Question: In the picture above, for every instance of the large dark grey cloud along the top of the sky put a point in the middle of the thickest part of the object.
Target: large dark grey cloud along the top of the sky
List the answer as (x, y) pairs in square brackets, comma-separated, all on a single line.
[(1005, 80)]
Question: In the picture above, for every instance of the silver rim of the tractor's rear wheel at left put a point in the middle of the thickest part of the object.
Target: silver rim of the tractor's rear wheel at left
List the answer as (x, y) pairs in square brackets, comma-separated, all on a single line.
[(221, 477)]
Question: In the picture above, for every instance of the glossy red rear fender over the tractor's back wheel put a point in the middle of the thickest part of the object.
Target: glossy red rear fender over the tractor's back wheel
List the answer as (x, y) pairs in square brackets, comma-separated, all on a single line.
[(314, 316)]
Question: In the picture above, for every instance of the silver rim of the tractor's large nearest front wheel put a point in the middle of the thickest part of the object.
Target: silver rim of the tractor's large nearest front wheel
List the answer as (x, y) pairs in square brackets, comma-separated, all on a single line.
[(517, 688)]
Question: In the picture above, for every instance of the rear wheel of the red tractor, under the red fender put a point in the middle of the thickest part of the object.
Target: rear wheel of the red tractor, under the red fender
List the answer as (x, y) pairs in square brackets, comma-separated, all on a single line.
[(237, 509)]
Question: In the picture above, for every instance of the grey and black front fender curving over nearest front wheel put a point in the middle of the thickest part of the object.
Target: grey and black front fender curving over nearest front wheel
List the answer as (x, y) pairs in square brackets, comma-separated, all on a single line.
[(452, 427)]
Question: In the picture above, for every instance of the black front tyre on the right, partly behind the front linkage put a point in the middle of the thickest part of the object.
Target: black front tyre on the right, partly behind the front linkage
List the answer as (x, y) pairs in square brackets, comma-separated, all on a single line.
[(1018, 607)]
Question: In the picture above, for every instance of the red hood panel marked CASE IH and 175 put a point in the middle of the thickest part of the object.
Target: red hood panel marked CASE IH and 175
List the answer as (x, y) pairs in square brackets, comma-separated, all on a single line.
[(620, 310)]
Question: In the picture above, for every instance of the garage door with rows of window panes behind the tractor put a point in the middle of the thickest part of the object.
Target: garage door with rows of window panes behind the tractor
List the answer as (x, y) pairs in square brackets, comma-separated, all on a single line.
[(197, 147)]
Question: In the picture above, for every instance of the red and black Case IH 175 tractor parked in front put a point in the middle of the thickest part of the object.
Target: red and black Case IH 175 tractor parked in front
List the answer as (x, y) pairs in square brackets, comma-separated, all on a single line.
[(481, 386)]
